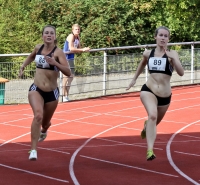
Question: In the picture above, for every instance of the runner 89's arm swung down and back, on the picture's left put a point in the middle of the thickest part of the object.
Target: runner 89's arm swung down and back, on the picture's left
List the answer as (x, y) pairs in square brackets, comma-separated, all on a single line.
[(140, 68)]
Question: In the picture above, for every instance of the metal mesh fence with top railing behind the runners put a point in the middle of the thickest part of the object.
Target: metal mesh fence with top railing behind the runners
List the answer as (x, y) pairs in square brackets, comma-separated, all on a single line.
[(103, 75)]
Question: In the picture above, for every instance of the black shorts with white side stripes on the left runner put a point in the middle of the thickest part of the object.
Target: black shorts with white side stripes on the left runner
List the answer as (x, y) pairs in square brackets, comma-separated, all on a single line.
[(47, 96)]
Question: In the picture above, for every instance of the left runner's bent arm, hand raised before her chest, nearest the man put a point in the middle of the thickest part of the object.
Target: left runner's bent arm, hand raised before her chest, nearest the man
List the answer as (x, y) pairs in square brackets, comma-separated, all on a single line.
[(63, 64)]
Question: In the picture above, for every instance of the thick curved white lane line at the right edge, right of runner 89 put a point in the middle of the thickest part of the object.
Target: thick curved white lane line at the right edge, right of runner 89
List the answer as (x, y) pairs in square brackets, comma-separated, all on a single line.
[(170, 157)]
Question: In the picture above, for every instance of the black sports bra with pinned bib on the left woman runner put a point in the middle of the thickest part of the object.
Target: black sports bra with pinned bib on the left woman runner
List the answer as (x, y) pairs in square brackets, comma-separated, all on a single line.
[(41, 62)]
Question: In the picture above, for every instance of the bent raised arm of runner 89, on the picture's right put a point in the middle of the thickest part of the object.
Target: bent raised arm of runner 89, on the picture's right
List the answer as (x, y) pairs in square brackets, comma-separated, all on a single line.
[(175, 61)]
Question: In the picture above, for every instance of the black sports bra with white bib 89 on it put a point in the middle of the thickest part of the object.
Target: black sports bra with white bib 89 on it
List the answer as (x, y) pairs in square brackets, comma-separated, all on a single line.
[(159, 64)]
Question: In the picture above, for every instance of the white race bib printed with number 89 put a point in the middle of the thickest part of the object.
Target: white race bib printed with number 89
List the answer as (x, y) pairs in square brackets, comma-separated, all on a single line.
[(157, 64)]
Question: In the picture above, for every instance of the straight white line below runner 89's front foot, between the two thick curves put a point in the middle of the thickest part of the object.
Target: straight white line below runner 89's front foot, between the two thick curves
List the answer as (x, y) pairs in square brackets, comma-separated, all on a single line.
[(128, 166)]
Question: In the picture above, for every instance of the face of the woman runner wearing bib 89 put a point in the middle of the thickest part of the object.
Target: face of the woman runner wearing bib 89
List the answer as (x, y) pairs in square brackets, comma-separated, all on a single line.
[(162, 38)]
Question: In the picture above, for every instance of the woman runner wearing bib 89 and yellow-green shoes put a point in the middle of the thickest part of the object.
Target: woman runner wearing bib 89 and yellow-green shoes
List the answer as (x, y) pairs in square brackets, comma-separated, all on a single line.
[(156, 93)]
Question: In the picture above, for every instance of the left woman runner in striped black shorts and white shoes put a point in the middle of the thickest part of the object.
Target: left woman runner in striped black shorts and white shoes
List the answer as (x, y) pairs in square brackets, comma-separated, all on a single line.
[(44, 93)]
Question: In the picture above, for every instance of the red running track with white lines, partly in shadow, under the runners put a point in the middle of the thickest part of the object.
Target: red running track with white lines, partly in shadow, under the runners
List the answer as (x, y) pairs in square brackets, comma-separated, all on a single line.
[(97, 142)]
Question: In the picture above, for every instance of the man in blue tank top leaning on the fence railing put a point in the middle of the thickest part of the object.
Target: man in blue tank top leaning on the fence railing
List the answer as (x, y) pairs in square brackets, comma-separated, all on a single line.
[(72, 45)]
